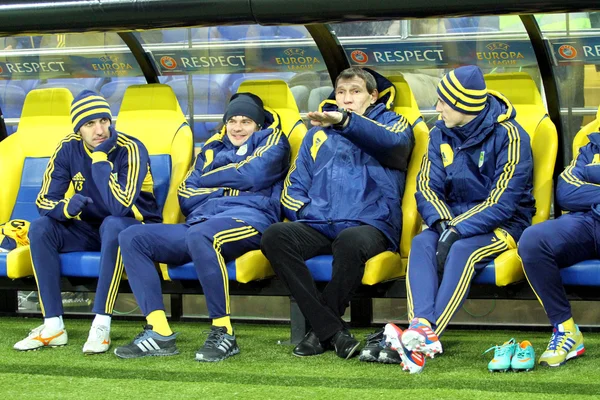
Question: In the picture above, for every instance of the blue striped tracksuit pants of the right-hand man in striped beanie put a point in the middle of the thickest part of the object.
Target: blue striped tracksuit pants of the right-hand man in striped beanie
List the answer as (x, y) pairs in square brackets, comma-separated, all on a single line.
[(437, 301)]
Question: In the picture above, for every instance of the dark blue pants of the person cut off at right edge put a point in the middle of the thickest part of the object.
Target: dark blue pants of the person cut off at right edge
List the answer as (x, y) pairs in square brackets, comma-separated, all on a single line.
[(547, 247)]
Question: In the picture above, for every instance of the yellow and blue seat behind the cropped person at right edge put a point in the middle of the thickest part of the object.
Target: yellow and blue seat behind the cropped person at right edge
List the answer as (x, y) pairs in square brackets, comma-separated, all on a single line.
[(585, 273)]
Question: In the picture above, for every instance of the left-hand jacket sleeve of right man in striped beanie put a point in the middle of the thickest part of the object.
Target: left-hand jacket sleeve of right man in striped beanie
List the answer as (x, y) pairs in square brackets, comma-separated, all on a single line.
[(430, 195)]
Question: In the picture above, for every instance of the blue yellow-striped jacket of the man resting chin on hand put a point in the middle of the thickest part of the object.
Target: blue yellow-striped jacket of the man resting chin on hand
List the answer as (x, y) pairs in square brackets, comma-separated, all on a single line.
[(122, 186)]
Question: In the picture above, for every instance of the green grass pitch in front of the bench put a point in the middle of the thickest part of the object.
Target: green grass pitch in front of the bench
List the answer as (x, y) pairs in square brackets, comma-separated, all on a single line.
[(267, 370)]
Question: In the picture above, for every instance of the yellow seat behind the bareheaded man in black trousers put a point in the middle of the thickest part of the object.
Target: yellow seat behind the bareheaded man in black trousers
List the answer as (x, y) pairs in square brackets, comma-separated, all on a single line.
[(390, 265)]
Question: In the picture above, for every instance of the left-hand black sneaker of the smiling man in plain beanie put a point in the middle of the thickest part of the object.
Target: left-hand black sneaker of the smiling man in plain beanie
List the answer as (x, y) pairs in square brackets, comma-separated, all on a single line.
[(148, 343)]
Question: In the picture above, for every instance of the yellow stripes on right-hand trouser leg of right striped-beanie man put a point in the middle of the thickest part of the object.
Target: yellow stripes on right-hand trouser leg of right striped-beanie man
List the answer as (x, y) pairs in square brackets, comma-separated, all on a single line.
[(465, 281)]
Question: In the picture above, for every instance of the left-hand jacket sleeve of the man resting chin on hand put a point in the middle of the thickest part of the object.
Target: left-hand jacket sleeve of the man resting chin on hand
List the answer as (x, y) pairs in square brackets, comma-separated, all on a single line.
[(51, 200)]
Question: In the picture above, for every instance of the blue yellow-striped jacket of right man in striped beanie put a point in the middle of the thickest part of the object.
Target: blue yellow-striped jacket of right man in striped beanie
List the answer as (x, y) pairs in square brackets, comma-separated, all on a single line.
[(479, 176)]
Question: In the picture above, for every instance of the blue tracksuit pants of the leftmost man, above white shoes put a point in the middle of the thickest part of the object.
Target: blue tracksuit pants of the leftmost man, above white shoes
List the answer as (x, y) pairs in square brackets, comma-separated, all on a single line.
[(49, 237)]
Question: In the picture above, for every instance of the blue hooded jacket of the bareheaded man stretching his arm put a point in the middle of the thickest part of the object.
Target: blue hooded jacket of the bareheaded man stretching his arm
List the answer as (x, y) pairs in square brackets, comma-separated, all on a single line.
[(353, 176)]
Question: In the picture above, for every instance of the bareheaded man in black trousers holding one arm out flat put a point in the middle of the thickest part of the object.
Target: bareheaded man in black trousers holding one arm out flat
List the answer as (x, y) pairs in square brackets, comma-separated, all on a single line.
[(343, 193)]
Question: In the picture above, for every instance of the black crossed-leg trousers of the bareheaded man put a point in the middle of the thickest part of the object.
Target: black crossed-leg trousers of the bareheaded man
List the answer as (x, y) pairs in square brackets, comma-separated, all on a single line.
[(288, 244)]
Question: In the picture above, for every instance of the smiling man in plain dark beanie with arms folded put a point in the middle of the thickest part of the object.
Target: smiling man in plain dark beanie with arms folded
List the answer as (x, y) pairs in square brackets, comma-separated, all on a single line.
[(229, 198)]
